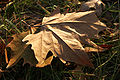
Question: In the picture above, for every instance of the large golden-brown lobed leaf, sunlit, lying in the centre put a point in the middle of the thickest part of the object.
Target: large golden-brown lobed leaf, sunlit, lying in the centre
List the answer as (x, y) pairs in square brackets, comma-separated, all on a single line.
[(63, 34)]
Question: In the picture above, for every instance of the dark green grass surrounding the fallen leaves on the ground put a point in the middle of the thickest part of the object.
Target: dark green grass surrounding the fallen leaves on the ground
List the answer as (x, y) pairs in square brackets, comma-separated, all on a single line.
[(107, 64)]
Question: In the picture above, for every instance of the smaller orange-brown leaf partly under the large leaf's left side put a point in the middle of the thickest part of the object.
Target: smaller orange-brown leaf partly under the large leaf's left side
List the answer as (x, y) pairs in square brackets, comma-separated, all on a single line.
[(20, 50)]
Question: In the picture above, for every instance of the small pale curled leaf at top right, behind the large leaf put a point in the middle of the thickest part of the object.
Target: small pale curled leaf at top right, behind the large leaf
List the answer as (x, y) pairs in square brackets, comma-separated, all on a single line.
[(96, 4)]
